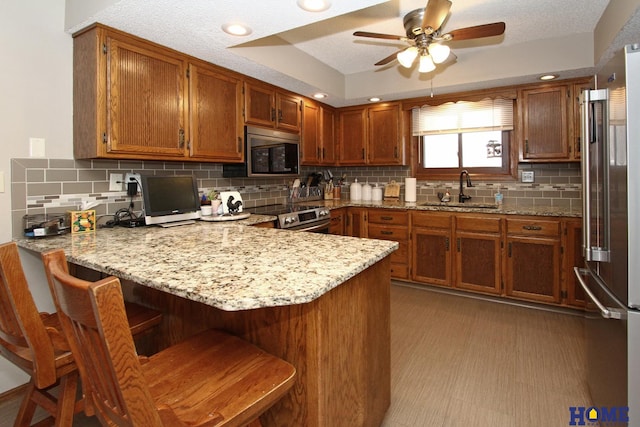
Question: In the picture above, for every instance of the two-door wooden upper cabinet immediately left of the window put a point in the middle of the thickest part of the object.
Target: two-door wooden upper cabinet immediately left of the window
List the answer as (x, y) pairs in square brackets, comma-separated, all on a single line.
[(371, 135)]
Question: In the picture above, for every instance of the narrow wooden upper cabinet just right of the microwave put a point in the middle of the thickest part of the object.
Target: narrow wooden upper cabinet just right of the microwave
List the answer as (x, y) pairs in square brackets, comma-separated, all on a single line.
[(318, 134)]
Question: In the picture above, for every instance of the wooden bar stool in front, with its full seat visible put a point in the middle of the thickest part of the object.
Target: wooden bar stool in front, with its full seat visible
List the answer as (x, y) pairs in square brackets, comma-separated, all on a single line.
[(211, 379)]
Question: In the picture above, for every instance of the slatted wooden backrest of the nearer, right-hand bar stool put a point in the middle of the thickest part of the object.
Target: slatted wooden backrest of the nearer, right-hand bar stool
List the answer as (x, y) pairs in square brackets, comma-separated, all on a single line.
[(94, 319)]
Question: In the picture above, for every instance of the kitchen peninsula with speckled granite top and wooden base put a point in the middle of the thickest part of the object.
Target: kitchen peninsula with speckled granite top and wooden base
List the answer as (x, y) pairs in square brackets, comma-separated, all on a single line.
[(320, 302)]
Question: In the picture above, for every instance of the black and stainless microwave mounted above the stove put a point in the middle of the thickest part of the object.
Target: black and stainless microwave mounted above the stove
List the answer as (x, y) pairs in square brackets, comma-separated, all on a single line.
[(268, 153)]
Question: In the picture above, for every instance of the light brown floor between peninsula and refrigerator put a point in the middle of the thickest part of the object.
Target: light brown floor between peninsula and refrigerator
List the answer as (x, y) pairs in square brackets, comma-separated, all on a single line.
[(464, 362)]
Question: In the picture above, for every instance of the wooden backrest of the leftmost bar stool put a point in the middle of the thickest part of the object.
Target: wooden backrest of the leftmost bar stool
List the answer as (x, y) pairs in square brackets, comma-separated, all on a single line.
[(24, 339)]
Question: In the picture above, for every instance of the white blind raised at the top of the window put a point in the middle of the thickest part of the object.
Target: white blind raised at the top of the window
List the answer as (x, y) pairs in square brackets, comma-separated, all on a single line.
[(463, 116)]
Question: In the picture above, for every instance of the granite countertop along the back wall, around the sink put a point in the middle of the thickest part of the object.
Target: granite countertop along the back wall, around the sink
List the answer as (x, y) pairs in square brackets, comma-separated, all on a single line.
[(505, 209)]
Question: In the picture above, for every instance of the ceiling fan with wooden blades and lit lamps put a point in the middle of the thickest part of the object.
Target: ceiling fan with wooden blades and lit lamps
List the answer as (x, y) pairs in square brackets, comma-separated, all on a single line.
[(427, 41)]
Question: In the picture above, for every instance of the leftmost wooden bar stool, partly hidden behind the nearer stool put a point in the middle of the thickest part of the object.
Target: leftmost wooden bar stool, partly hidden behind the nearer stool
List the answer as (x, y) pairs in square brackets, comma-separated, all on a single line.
[(34, 342)]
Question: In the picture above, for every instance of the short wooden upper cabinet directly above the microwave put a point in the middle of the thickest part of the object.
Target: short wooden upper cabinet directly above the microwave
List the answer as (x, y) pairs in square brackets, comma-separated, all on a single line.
[(266, 106)]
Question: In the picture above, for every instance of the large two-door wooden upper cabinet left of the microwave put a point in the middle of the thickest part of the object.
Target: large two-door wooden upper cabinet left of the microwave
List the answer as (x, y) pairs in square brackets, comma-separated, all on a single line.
[(132, 100)]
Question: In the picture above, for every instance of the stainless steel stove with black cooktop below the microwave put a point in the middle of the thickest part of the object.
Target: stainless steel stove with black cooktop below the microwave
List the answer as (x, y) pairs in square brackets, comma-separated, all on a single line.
[(297, 217)]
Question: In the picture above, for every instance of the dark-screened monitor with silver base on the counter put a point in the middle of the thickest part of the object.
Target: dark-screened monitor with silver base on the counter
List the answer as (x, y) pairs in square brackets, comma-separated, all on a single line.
[(170, 200)]
